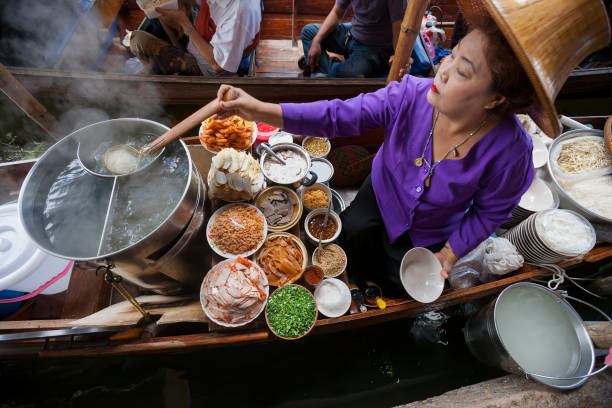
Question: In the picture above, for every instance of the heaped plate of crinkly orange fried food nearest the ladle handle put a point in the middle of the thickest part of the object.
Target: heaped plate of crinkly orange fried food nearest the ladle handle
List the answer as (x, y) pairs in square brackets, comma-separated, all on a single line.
[(235, 132)]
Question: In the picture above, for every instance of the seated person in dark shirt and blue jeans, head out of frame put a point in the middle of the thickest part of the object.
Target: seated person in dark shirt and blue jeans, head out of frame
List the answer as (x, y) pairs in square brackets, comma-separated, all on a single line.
[(367, 44)]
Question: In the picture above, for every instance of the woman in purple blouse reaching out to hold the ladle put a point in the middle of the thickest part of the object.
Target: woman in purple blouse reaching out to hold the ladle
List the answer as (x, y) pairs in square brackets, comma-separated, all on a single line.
[(454, 162)]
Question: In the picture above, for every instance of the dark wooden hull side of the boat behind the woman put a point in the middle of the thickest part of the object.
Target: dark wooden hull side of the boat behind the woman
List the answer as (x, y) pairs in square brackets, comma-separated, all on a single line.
[(183, 90)]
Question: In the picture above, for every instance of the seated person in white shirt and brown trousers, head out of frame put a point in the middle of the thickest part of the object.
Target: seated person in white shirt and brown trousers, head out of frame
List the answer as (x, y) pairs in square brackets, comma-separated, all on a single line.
[(220, 33)]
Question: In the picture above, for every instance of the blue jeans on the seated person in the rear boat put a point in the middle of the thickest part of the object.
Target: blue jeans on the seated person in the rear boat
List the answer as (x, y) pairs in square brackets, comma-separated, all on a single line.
[(360, 60)]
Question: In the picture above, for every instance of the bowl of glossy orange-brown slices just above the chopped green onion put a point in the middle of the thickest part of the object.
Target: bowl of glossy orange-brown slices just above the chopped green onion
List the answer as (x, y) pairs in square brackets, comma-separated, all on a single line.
[(283, 258)]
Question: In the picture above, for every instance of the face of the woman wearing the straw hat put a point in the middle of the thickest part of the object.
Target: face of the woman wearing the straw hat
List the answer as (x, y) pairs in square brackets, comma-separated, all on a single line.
[(463, 82)]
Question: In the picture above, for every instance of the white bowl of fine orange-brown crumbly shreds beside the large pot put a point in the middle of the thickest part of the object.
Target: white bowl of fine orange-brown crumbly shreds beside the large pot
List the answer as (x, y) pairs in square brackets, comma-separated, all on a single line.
[(236, 230)]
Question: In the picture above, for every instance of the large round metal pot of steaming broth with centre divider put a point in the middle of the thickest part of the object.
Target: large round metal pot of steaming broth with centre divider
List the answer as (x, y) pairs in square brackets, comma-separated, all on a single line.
[(145, 224)]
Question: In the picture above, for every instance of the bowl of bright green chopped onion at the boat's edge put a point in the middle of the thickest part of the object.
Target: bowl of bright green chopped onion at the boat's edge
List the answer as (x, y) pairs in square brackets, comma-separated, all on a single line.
[(291, 312)]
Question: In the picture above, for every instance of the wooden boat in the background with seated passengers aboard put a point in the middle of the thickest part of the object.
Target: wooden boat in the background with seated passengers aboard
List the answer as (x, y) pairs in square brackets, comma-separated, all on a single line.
[(275, 80)]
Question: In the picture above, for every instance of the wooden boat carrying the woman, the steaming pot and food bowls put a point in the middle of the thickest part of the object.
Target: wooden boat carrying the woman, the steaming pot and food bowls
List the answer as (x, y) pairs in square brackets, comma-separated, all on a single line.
[(183, 326)]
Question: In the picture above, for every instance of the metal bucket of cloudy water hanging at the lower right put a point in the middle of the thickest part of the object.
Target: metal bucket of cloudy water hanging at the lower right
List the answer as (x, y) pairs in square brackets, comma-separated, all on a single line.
[(499, 348)]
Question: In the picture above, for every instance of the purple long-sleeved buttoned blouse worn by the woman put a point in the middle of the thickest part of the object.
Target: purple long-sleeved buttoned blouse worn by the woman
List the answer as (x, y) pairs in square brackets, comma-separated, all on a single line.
[(468, 198)]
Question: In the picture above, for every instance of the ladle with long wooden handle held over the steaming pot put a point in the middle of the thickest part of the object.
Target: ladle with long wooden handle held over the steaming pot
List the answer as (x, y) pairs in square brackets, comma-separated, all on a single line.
[(153, 148)]
